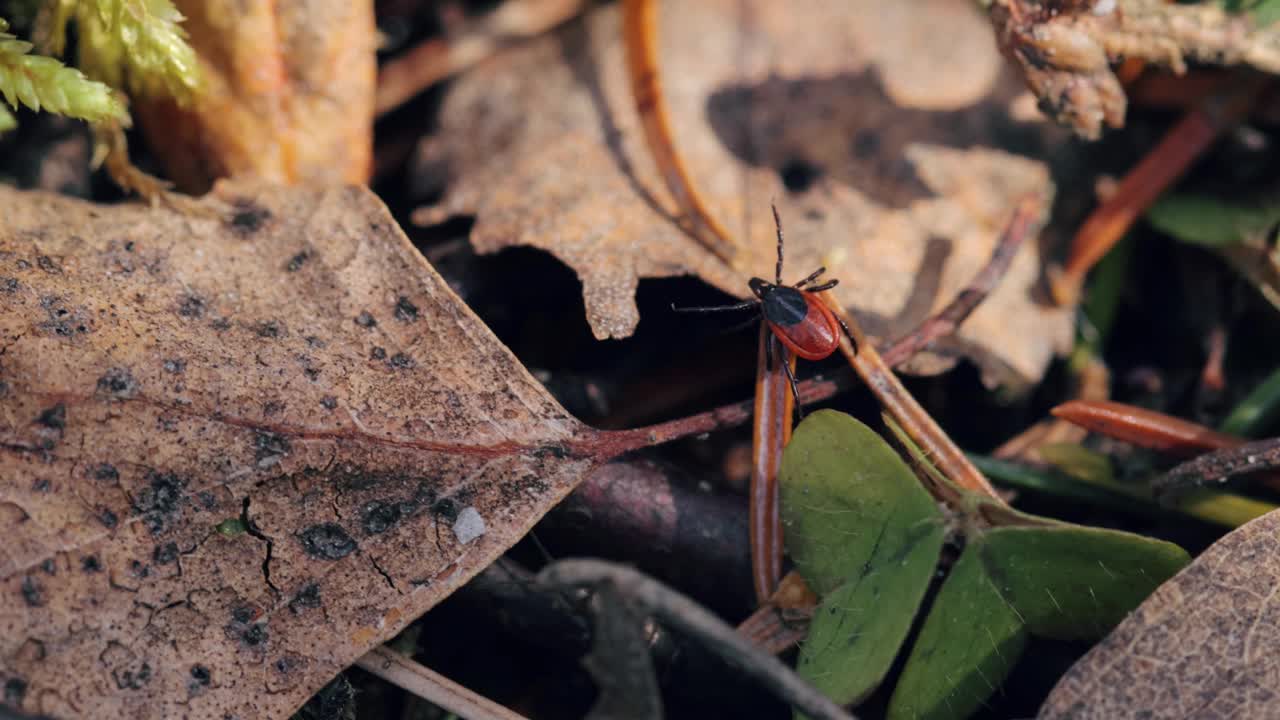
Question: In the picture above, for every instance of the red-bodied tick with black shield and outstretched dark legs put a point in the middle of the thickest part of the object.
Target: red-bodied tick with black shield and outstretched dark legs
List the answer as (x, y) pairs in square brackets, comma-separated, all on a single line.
[(797, 317)]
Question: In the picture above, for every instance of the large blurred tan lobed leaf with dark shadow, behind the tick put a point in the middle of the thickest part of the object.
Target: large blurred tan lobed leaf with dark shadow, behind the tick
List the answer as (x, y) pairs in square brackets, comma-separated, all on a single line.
[(889, 120)]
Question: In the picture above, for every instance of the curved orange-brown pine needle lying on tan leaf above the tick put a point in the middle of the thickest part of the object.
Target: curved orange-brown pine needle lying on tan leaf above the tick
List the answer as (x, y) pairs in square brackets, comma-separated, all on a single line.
[(641, 37)]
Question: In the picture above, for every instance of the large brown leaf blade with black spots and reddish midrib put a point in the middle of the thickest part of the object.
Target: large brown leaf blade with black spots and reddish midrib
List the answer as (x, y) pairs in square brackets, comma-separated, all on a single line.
[(292, 363)]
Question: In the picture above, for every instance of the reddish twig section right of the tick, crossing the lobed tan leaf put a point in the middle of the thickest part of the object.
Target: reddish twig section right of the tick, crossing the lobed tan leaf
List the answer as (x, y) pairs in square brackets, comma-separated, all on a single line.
[(949, 320)]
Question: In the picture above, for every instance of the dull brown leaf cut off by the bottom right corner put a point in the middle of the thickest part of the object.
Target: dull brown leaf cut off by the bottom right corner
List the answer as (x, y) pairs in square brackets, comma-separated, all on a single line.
[(1204, 645)]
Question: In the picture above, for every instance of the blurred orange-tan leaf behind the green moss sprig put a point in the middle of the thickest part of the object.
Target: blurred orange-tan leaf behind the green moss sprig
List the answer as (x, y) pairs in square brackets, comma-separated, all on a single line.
[(287, 95)]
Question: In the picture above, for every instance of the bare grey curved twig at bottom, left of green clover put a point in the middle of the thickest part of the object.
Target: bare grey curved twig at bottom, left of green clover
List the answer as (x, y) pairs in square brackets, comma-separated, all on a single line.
[(687, 616)]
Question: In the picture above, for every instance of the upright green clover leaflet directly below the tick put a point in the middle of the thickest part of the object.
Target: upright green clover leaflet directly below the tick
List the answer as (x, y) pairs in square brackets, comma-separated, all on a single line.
[(866, 537)]
